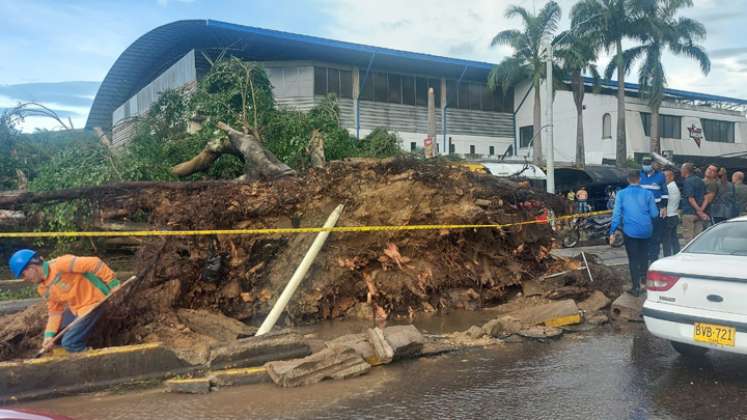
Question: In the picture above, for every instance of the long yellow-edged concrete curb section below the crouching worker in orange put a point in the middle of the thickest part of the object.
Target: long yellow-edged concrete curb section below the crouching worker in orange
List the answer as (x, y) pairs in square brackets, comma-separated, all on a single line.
[(88, 371)]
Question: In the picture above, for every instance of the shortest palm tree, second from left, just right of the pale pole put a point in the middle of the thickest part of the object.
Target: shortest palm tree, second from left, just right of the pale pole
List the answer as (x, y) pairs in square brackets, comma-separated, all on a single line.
[(577, 56)]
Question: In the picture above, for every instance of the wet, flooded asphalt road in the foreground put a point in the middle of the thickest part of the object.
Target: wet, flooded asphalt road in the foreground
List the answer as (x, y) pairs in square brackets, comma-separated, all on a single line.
[(606, 374)]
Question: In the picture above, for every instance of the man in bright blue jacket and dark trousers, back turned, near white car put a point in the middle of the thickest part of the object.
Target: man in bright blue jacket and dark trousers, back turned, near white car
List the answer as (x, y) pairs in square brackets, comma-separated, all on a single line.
[(635, 210)]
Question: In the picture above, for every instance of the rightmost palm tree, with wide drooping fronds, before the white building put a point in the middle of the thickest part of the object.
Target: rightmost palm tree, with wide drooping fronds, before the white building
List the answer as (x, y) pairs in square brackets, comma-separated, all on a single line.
[(664, 31)]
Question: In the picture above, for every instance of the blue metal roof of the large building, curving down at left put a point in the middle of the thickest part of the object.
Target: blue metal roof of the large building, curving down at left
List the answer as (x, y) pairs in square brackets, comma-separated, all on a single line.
[(158, 49)]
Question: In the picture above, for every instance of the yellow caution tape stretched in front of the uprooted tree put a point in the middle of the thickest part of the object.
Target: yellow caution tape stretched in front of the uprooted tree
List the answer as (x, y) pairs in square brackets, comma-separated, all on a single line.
[(275, 231)]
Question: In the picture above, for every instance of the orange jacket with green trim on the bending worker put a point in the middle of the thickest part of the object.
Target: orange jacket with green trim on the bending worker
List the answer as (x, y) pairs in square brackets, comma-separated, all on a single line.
[(78, 283)]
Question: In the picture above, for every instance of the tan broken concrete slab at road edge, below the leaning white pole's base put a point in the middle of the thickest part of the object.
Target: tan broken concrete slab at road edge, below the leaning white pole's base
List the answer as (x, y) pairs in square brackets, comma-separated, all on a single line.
[(338, 363)]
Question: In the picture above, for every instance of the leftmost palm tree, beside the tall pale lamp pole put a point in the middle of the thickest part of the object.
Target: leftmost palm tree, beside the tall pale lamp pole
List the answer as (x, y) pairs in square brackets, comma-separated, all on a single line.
[(527, 61)]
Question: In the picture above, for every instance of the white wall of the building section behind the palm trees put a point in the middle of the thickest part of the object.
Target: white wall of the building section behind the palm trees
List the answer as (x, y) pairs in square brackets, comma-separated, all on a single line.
[(598, 148)]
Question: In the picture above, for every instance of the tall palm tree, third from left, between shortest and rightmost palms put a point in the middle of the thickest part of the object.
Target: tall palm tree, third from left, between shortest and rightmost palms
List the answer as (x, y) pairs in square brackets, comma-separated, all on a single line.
[(609, 22)]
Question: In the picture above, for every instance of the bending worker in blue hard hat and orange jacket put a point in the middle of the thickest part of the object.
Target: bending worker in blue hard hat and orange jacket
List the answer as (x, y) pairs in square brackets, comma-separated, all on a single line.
[(72, 287)]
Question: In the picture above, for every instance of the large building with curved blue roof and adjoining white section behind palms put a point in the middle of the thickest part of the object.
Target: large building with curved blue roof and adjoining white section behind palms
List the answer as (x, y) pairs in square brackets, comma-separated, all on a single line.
[(381, 87)]
